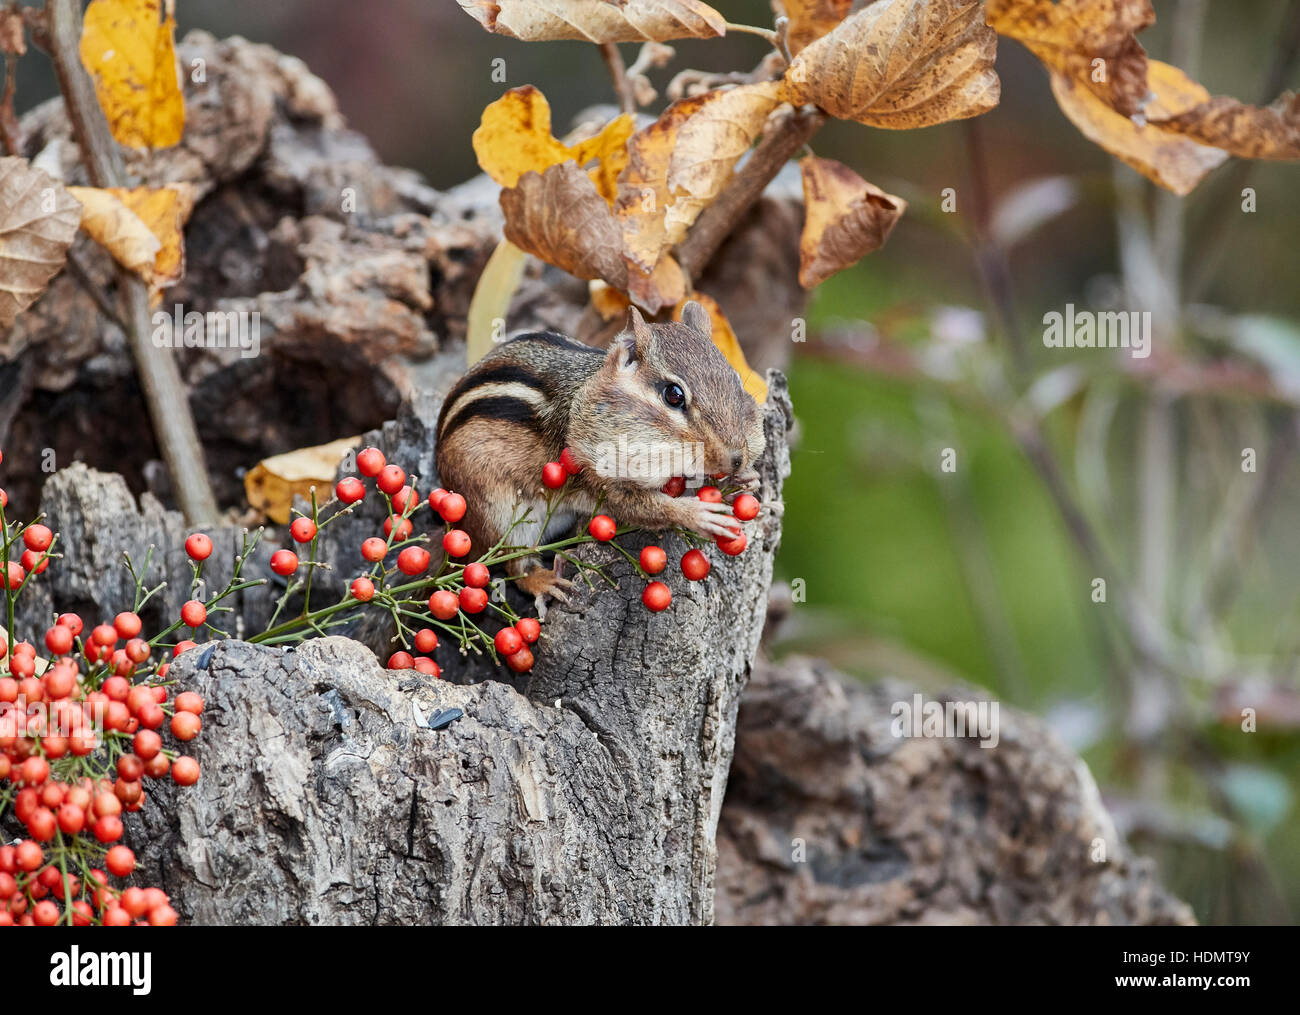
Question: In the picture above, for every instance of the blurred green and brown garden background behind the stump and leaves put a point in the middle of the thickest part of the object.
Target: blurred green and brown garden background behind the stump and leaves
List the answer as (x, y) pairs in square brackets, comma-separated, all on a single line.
[(1072, 465)]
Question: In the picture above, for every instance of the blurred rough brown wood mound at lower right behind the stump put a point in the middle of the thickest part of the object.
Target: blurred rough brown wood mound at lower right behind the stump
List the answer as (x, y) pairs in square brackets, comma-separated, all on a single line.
[(833, 819)]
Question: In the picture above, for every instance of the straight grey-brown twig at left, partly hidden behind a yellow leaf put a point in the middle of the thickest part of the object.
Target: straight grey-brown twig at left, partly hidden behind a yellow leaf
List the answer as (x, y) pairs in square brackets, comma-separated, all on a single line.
[(159, 375)]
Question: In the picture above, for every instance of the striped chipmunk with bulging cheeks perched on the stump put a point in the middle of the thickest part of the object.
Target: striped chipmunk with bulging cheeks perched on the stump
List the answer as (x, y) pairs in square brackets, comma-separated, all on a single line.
[(664, 402)]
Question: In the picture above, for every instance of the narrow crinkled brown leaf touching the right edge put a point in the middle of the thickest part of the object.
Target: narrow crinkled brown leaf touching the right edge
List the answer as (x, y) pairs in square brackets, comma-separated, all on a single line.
[(1249, 132)]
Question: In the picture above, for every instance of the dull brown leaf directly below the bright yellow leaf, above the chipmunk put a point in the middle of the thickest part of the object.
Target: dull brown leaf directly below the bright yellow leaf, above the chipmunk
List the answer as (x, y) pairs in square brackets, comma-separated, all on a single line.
[(561, 218)]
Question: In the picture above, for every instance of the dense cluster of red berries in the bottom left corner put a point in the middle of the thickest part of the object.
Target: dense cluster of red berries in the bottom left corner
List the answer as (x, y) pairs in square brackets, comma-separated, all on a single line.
[(63, 722)]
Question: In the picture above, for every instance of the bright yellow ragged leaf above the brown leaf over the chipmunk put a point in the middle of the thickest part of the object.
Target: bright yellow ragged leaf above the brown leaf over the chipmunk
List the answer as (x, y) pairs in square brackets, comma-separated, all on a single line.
[(514, 137)]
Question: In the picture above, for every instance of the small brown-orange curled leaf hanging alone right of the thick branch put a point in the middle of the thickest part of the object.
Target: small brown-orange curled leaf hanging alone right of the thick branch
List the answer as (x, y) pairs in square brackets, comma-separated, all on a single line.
[(846, 219)]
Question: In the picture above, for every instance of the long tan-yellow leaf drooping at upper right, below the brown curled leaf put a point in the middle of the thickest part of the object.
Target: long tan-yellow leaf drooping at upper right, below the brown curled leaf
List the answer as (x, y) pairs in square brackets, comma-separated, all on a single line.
[(1171, 161)]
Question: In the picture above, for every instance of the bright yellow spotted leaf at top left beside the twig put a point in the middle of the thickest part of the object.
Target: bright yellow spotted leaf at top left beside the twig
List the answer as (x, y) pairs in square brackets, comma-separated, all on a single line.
[(128, 49)]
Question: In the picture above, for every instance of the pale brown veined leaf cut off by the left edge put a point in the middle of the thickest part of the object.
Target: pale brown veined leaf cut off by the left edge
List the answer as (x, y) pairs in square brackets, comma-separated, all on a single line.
[(38, 223)]
